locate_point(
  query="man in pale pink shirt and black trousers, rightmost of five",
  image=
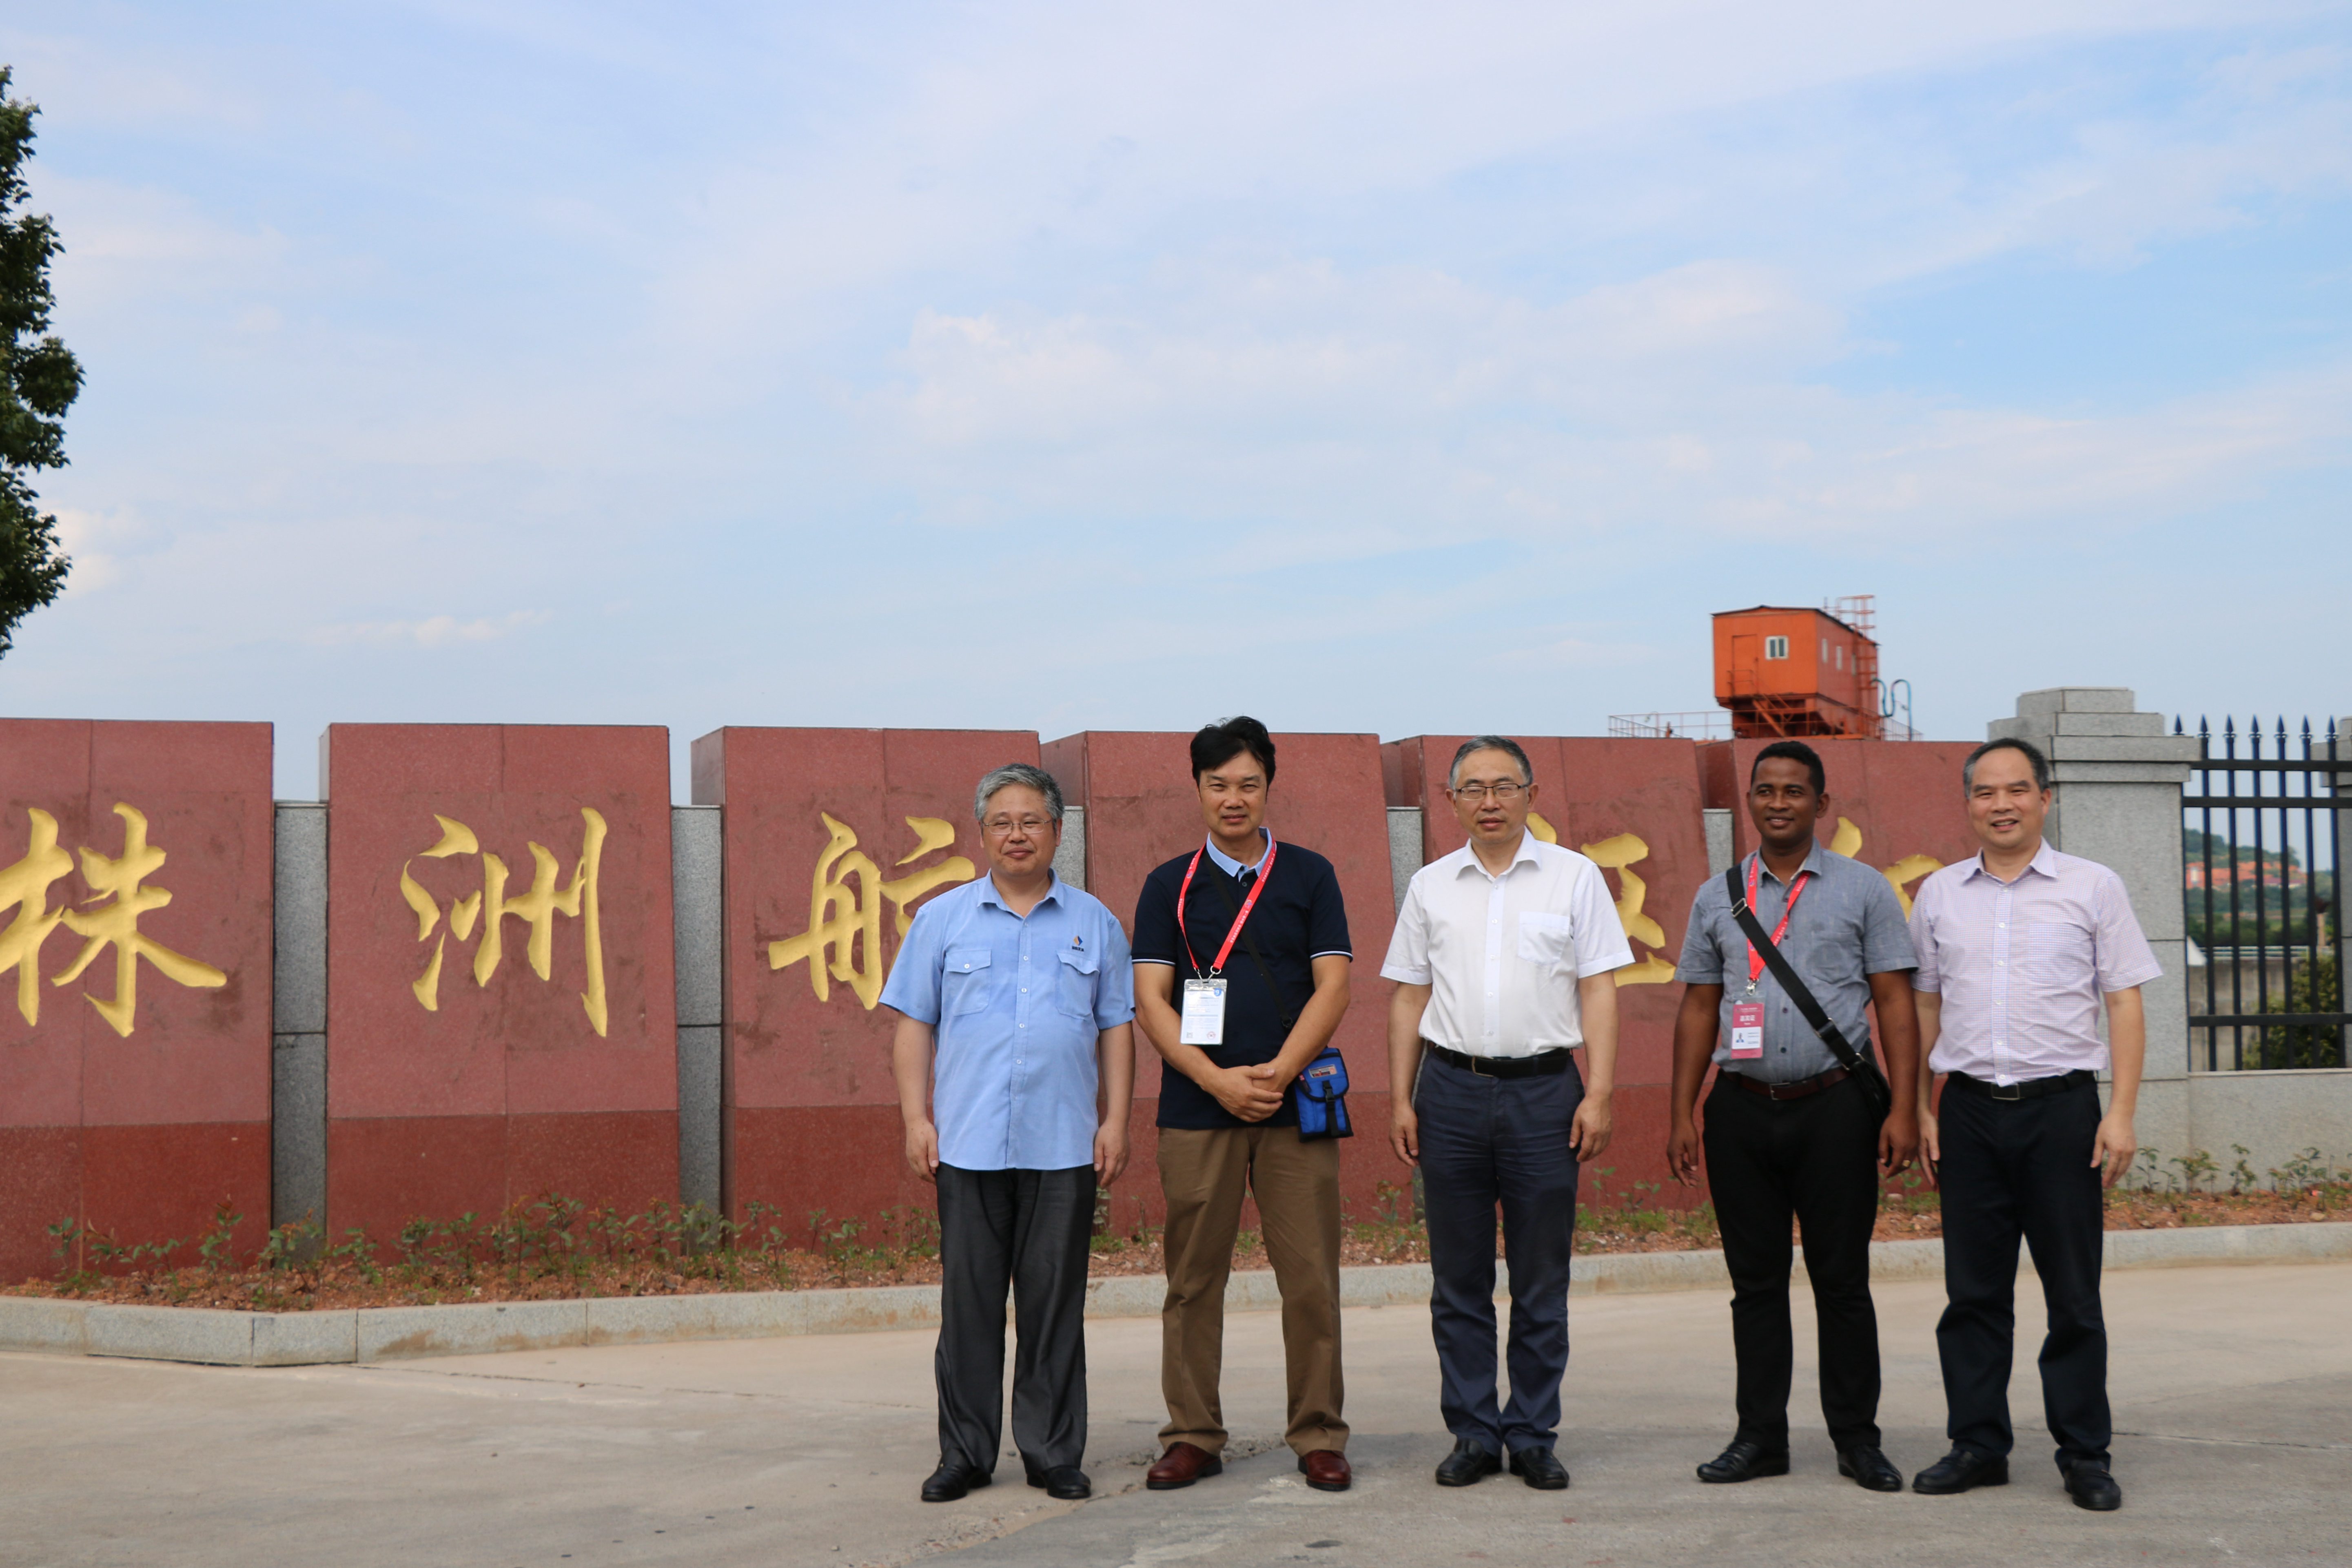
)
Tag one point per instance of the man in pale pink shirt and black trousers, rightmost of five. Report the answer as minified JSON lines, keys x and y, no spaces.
{"x":2017,"y":951}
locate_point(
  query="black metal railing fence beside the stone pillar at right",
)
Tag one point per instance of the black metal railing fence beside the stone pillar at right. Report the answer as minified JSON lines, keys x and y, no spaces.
{"x":2261,"y":838}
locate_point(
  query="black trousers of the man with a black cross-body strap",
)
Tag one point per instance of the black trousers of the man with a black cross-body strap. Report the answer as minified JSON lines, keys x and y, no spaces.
{"x":1815,"y":1160}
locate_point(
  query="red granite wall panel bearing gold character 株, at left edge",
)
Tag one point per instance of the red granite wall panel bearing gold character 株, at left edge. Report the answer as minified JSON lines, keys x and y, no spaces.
{"x":135,"y":1038}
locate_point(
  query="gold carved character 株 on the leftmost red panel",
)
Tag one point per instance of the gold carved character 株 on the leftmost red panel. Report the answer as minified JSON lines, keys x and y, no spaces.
{"x":109,"y":918}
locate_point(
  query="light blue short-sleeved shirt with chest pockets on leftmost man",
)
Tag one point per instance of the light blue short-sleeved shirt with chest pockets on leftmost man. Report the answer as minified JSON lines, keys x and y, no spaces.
{"x":1020,"y":1007}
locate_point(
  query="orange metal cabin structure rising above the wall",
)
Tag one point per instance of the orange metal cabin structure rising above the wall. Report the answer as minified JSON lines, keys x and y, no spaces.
{"x":1800,"y":671}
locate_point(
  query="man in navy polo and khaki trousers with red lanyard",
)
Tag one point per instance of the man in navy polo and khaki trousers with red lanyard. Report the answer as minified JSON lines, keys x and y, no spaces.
{"x":1241,"y":981}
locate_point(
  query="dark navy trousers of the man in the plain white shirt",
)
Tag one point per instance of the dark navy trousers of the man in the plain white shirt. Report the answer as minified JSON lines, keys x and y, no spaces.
{"x":1485,"y":1144}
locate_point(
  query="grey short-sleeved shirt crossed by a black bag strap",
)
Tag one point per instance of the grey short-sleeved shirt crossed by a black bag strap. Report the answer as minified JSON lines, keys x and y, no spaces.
{"x":1845,"y":930}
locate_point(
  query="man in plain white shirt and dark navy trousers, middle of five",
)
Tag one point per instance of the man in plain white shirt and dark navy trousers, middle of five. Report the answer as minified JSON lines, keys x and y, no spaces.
{"x":1504,"y":960}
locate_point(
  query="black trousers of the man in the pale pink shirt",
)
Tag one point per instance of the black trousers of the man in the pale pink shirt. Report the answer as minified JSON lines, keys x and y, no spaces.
{"x":2024,"y":1167}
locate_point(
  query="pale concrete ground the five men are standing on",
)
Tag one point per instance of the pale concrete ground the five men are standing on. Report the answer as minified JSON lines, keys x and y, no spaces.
{"x":2233,"y":1391}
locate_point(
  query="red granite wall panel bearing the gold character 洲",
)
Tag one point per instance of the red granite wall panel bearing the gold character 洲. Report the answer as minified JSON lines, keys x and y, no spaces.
{"x":502,"y":1005}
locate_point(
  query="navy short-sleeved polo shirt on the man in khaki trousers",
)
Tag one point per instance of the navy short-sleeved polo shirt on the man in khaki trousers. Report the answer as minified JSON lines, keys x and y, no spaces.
{"x":1297,"y":920}
